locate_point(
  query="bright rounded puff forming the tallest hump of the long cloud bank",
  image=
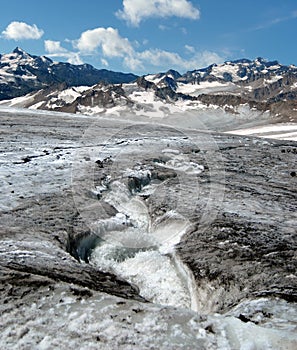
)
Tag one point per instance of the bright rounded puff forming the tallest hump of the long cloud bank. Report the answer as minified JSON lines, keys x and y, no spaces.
{"x":108,"y":39}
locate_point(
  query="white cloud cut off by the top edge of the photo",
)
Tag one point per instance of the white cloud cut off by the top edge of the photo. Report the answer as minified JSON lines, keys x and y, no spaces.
{"x":134,"y":11}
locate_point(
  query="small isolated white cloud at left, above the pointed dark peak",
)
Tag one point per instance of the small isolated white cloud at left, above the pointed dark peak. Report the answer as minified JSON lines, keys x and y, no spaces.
{"x":20,"y":30}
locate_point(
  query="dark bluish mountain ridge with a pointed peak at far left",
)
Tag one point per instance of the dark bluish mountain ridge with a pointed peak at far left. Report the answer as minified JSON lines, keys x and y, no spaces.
{"x":22,"y":73}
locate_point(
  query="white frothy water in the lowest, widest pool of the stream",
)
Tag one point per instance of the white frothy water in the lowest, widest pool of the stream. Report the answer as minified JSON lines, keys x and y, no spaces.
{"x":155,"y":274}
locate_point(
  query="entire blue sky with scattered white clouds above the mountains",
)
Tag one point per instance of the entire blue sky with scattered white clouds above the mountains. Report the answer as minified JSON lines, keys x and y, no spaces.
{"x":145,"y":36}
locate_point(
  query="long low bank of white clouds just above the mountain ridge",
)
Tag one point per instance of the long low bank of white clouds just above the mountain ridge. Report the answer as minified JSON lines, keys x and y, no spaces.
{"x":108,"y":44}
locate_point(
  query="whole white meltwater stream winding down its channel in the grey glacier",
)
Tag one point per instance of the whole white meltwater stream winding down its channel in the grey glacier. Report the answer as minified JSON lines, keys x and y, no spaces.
{"x":143,"y":253}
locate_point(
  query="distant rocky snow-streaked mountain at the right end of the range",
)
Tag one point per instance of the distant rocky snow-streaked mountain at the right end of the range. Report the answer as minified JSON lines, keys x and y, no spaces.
{"x":259,"y":79}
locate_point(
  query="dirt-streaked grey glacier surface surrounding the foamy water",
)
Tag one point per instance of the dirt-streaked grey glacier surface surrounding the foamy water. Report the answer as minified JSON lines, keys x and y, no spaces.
{"x":227,"y":204}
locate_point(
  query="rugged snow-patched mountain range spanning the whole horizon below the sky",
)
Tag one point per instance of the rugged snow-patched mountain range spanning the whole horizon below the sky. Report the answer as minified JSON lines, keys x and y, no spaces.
{"x":254,"y":85}
